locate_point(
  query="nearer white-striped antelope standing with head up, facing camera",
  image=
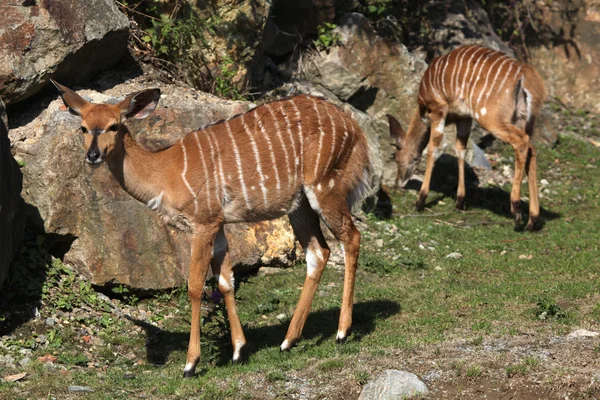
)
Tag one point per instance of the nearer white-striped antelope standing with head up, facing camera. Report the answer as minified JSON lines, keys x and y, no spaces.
{"x":301,"y":156}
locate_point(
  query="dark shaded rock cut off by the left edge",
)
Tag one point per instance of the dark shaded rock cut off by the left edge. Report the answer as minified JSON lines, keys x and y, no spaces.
{"x":12,"y":212}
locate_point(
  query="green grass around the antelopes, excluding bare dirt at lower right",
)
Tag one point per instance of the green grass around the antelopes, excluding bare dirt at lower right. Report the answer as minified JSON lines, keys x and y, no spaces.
{"x":410,"y":301}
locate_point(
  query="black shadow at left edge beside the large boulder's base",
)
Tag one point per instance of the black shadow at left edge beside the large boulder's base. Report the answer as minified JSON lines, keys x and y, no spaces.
{"x":21,"y":294}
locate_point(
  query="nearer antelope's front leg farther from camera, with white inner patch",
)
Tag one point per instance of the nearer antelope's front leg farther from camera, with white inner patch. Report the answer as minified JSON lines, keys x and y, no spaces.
{"x":223,"y":272}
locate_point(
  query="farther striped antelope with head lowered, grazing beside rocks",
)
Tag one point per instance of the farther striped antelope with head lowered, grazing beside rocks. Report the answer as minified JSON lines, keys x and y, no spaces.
{"x":502,"y":94}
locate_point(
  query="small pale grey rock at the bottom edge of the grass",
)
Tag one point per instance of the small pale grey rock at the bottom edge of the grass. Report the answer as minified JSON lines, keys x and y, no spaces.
{"x":393,"y":384}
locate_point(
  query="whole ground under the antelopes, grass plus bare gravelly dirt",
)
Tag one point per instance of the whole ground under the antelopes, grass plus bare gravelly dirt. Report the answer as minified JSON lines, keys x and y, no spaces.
{"x":489,"y":320}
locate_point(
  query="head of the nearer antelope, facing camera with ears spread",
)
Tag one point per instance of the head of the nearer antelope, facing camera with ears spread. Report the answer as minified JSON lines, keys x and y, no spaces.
{"x":102,"y":124}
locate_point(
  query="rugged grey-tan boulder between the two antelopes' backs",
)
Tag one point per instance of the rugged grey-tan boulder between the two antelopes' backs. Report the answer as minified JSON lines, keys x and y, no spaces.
{"x":373,"y":74}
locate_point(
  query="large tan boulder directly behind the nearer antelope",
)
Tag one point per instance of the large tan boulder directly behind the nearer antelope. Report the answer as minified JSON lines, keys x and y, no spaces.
{"x":118,"y":239}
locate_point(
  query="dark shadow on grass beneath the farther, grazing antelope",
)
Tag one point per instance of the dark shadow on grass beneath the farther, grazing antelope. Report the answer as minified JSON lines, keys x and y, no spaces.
{"x":444,"y":180}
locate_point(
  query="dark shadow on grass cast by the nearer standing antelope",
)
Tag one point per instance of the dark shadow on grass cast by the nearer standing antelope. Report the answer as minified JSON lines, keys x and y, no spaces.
{"x":321,"y":325}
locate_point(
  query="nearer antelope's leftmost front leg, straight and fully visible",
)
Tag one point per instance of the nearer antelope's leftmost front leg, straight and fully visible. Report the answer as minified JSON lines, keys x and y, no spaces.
{"x":202,"y":245}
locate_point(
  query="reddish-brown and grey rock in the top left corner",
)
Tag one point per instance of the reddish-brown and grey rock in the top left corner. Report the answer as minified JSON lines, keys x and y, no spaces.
{"x":67,"y":39}
